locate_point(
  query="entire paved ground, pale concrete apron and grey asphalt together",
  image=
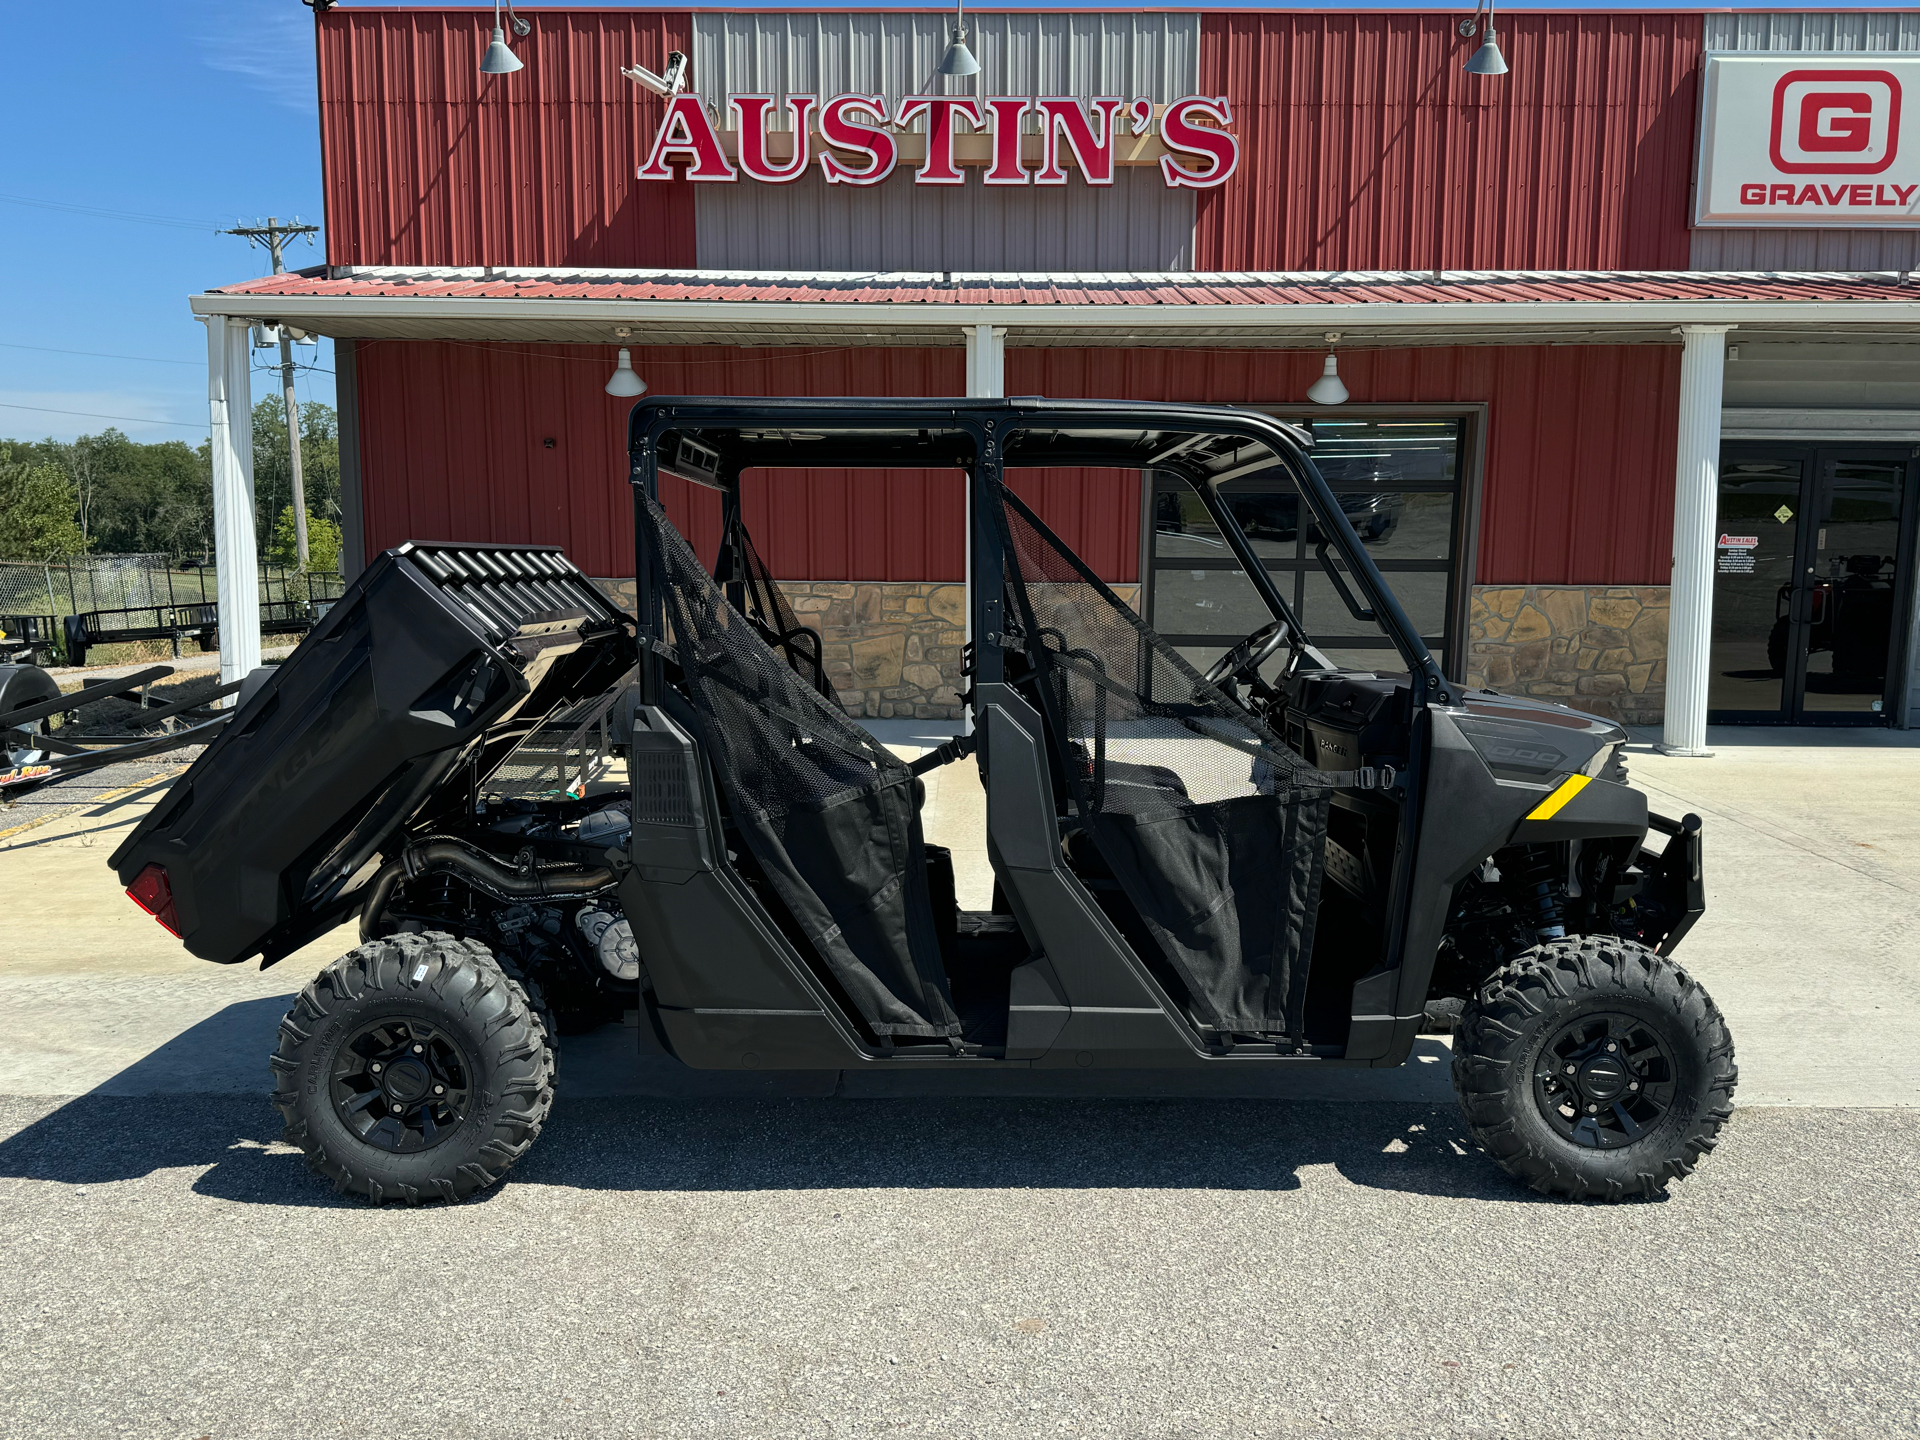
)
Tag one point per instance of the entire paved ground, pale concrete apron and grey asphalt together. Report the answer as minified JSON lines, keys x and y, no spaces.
{"x":863,"y":1265}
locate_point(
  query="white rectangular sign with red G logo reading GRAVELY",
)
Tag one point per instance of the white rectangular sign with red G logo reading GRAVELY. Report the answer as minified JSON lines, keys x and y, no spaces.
{"x":1818,"y":141}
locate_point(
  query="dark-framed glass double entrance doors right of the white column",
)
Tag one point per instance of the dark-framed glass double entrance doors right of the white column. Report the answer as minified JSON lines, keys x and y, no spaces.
{"x":1812,"y":562}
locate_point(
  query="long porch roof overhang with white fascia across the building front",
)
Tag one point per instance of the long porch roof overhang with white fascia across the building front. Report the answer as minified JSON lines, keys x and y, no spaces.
{"x":923,"y":324}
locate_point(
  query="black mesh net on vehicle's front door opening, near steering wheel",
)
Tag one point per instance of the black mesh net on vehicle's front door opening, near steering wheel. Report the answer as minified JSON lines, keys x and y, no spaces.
{"x":1209,"y":823}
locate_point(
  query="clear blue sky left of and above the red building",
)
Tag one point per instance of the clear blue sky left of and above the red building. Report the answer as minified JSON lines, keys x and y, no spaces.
{"x":178,"y":120}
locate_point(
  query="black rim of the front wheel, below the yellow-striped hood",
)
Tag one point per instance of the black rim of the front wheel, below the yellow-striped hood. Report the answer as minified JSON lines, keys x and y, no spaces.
{"x":1605,"y":1081}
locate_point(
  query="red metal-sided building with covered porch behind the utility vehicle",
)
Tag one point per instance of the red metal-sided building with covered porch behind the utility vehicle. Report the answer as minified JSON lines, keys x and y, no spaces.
{"x":1509,"y":264}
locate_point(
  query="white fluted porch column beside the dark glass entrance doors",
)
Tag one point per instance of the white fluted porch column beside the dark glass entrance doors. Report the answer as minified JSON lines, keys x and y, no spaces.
{"x":1697,"y":501}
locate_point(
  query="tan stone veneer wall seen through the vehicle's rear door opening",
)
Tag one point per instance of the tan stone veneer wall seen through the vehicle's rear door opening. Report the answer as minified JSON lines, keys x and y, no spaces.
{"x":892,"y":648}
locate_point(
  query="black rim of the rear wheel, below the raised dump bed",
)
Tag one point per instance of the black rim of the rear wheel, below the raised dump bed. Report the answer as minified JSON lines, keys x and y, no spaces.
{"x":402,"y":1085}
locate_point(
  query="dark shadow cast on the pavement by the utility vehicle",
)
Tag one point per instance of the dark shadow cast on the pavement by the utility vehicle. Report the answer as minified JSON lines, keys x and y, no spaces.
{"x":199,"y":1106}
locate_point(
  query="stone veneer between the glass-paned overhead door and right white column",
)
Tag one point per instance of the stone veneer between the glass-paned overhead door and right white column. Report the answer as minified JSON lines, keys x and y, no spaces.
{"x":1597,"y":648}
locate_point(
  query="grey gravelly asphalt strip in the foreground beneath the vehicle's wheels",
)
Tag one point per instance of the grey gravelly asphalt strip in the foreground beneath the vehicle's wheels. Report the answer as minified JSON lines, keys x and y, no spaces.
{"x":952,"y":1269}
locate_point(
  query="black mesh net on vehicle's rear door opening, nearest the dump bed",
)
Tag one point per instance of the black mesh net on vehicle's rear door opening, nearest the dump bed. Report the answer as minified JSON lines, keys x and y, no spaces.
{"x":825,"y":808}
